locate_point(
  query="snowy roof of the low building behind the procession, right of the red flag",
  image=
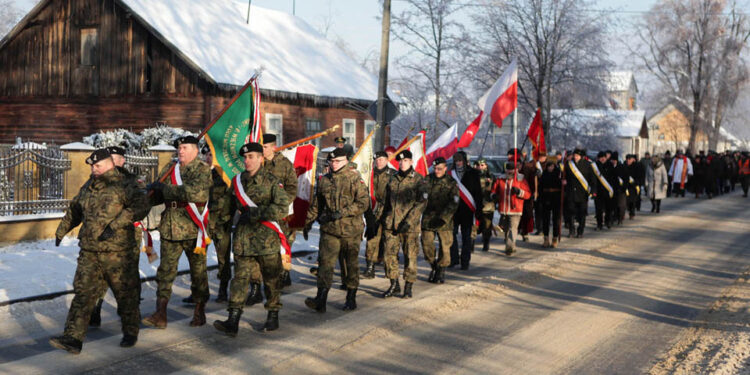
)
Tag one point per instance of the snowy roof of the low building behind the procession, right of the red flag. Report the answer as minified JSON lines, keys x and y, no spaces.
{"x":627,"y":124}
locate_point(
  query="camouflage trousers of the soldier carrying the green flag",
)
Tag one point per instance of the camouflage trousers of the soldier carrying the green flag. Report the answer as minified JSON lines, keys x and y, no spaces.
{"x":167,"y":272}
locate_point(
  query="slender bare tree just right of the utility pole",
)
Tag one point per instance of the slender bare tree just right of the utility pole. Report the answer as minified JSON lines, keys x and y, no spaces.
{"x":429,"y":30}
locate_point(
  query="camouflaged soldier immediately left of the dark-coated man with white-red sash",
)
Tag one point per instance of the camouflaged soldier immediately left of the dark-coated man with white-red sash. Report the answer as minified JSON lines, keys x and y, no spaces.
{"x":437,"y":219}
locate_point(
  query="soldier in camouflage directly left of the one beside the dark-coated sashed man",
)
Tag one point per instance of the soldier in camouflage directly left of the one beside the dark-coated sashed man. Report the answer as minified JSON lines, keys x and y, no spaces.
{"x":406,"y":196}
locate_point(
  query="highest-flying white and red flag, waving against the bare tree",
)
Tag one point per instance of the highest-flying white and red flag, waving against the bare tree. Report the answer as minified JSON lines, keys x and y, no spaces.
{"x":502,"y":98}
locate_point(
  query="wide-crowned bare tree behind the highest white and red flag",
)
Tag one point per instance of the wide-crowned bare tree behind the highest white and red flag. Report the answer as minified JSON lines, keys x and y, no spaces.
{"x":559,"y":47}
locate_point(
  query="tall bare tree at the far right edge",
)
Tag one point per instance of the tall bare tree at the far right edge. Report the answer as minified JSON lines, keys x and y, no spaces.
{"x":693,"y":49}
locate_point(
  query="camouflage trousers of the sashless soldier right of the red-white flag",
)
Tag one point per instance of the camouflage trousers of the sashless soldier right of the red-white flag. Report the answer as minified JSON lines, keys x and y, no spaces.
{"x":330,"y":249}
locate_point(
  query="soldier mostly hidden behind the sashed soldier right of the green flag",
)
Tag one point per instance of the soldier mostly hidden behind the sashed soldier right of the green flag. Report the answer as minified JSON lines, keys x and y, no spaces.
{"x":278,"y":165}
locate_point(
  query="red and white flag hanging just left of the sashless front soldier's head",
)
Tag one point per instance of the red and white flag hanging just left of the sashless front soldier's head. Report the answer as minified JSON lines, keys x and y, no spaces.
{"x":303,"y":158}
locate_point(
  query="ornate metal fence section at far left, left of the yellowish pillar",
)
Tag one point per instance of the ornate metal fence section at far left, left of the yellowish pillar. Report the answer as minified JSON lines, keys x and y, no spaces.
{"x":32,"y":179}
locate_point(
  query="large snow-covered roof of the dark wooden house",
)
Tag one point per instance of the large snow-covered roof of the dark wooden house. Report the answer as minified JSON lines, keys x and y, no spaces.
{"x":294,"y":57}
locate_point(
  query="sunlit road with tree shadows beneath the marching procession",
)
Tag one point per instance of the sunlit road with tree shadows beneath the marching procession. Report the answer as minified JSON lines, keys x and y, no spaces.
{"x":613,"y":302}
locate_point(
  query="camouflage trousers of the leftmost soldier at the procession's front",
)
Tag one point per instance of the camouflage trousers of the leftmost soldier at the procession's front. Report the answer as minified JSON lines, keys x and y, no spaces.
{"x":95,"y":272}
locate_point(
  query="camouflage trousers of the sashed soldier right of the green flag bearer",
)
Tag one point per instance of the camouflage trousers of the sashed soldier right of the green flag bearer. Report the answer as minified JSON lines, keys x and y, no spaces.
{"x":270,"y":268}
